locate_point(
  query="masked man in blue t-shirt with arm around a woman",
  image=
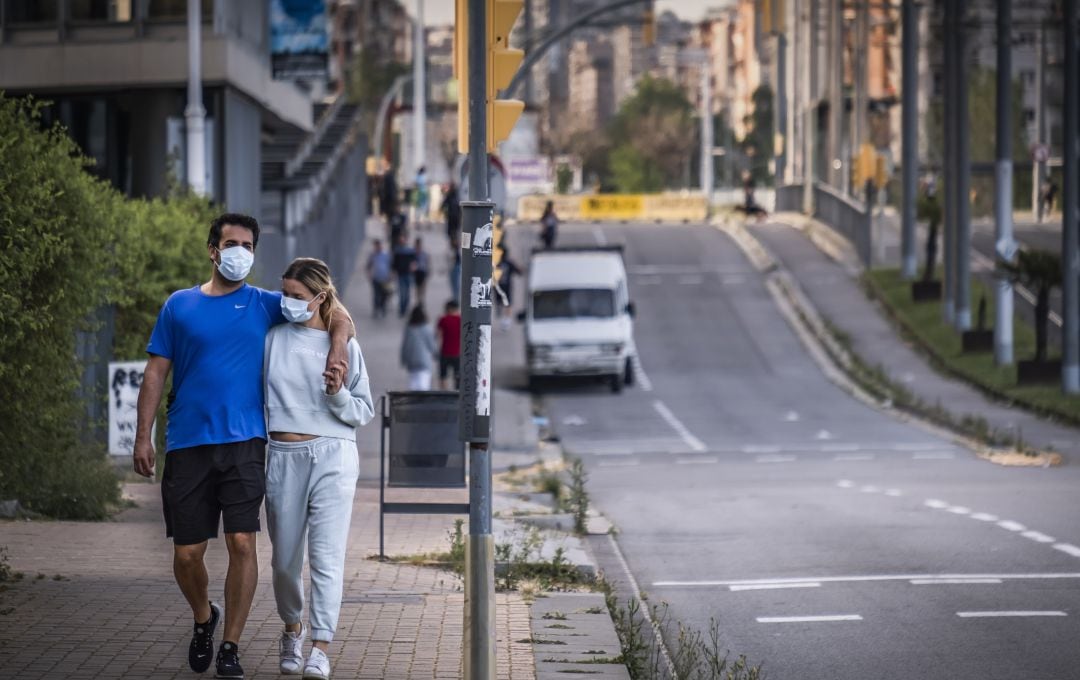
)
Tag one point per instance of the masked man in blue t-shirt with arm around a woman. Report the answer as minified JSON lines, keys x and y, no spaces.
{"x":213,"y":336}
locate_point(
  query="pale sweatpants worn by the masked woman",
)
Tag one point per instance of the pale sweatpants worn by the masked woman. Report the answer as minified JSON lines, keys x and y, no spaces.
{"x":310,"y":487}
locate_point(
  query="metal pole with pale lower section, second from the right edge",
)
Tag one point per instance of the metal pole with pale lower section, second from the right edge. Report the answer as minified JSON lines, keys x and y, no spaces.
{"x":1003,"y":198}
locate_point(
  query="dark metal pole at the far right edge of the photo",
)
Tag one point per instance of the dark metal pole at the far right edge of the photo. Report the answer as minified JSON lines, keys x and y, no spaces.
{"x":1071,"y":219}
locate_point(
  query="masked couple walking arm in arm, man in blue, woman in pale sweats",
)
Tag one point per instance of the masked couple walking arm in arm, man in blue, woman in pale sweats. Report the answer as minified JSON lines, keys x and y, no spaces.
{"x":247,"y":362}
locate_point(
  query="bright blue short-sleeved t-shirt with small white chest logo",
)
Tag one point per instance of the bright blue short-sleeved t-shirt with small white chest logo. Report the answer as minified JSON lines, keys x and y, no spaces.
{"x":217,"y":345}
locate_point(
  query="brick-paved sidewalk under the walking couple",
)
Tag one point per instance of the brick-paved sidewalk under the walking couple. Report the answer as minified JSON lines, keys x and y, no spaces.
{"x":105,"y":604}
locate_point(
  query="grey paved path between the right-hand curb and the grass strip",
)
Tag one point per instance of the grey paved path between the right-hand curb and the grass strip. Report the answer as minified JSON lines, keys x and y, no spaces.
{"x":832,"y":287}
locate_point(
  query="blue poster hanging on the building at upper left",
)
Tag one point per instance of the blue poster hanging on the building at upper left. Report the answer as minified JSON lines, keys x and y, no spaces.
{"x":299,"y":39}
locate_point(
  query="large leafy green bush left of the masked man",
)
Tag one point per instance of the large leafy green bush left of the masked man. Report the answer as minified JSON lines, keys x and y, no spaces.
{"x":72,"y":246}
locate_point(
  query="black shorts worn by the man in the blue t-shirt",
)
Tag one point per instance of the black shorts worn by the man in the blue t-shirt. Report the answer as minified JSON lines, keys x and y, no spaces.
{"x":205,"y":484}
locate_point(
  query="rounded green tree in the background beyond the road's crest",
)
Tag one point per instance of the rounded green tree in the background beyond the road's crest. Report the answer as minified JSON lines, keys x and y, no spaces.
{"x":652,"y":135}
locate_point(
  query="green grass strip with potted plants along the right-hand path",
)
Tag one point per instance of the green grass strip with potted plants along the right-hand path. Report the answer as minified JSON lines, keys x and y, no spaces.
{"x":923,"y":323}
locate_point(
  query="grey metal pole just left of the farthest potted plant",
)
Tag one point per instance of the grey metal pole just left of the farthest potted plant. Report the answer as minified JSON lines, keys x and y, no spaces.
{"x":910,"y":141}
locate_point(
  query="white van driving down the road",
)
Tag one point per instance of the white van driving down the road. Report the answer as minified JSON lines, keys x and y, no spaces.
{"x":579,"y":320}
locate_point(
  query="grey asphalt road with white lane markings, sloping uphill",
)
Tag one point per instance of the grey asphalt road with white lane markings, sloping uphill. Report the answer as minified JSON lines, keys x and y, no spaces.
{"x":829,"y":540}
